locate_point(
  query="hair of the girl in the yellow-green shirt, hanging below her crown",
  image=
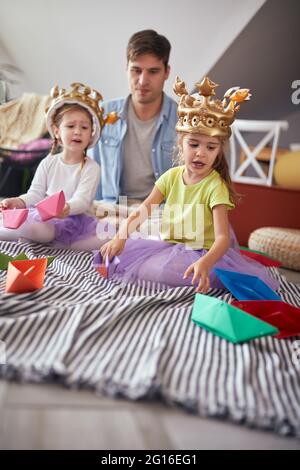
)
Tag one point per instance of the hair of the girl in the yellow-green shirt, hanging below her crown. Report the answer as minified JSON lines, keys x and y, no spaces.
{"x":220,"y":165}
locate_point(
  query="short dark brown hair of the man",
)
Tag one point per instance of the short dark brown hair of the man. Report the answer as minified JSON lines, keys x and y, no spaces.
{"x":149,"y":41}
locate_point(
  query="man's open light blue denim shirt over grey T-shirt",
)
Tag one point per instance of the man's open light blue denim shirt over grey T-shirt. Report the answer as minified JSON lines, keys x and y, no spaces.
{"x":108,"y":151}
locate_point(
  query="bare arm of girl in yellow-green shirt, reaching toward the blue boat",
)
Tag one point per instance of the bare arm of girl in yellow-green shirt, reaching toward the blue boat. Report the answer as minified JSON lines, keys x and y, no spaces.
{"x":204,"y":265}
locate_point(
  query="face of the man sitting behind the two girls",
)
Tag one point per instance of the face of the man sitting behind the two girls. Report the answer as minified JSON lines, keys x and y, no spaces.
{"x":146,"y":78}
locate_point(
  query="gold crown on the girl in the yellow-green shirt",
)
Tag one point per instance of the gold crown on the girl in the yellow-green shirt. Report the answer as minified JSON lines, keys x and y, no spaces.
{"x":200,"y":113}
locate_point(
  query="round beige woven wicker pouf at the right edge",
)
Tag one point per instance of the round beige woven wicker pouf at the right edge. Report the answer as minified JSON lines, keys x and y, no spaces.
{"x":282,"y":244}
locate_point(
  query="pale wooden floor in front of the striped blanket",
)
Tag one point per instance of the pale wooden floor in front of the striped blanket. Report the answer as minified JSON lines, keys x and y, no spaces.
{"x":51,"y":417}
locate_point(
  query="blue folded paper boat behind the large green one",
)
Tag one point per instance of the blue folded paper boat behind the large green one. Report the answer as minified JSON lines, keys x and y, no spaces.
{"x":245,"y":286}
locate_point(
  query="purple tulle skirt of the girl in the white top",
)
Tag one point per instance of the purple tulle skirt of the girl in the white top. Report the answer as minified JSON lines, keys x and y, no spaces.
{"x":70,"y":229}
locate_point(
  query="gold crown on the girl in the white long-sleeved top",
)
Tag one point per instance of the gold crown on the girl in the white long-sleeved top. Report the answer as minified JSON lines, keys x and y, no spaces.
{"x":86,"y":97}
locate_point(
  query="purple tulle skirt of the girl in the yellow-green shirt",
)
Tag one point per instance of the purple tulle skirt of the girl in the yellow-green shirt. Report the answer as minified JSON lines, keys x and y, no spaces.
{"x":159,"y":261}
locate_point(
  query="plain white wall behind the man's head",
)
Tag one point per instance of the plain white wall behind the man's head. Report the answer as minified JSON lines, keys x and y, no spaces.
{"x":62,"y":41}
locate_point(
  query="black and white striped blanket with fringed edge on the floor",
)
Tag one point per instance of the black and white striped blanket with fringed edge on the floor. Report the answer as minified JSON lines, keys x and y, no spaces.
{"x":138,"y":341}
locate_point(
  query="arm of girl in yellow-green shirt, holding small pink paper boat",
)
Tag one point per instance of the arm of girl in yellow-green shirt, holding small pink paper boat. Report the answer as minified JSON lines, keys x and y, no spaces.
{"x":132,"y":223}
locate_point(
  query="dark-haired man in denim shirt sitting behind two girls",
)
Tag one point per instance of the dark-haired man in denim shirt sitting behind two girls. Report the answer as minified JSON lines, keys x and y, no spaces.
{"x":137,"y":149}
